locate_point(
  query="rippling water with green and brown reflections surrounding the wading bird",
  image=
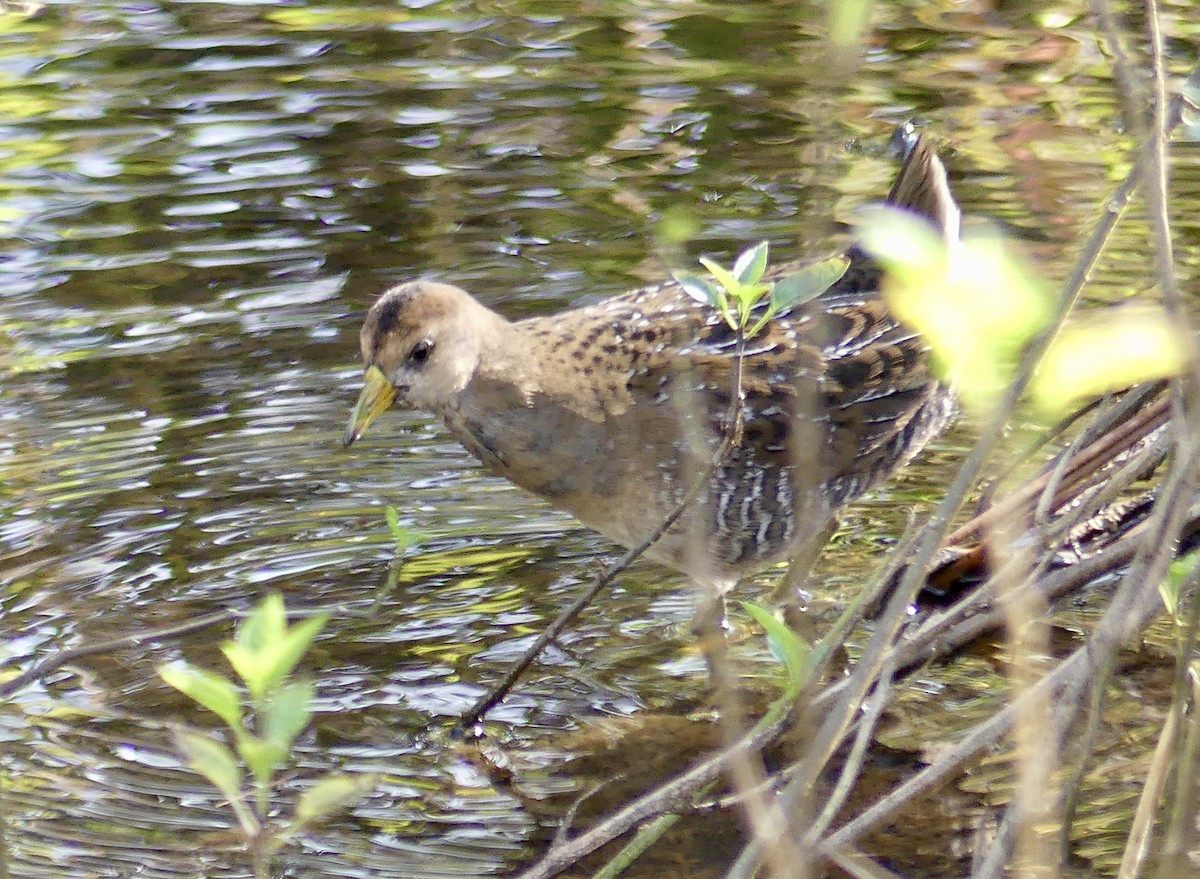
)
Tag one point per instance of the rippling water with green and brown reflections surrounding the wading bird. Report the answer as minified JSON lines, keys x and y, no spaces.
{"x":200,"y":200}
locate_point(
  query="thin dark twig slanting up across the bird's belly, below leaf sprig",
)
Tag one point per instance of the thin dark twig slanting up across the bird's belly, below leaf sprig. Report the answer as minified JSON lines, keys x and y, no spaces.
{"x":733,"y":436}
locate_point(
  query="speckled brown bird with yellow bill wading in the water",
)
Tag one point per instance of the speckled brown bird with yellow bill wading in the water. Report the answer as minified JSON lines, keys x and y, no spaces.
{"x":610,"y":411}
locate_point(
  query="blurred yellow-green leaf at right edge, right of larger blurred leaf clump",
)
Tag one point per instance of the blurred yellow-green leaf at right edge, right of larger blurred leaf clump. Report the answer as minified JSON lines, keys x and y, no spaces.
{"x":1103,"y":354}
